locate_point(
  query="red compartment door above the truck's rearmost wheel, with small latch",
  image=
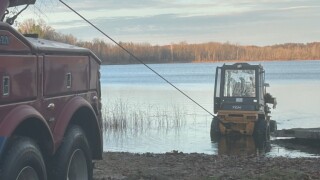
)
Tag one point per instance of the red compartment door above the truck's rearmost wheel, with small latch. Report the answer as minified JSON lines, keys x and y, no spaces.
{"x":65,"y":75}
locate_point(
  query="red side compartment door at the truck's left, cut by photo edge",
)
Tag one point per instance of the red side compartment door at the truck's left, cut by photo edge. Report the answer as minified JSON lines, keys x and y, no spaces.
{"x":18,"y":77}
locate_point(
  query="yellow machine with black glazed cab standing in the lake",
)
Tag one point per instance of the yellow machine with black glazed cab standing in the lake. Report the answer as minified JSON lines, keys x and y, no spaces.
{"x":241,"y":101}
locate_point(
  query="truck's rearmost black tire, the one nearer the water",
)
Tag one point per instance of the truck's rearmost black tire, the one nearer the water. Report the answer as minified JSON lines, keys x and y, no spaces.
{"x":73,"y":159}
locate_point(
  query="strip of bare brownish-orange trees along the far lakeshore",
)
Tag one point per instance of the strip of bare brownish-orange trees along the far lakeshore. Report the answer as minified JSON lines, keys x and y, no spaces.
{"x":180,"y":52}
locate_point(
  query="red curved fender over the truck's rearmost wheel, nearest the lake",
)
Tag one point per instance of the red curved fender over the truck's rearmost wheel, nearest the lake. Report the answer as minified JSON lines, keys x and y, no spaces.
{"x":69,"y":109}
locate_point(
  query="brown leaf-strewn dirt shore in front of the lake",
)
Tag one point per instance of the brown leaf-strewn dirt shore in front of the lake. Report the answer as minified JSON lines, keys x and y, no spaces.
{"x":201,"y":166}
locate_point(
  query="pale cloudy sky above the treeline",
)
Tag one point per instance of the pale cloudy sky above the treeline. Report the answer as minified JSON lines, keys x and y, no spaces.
{"x":245,"y":22}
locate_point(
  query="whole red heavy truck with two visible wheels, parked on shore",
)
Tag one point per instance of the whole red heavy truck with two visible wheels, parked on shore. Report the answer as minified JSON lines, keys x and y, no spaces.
{"x":50,"y":107}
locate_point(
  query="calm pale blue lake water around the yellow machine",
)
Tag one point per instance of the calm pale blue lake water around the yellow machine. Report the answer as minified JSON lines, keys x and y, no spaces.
{"x":161,"y":119}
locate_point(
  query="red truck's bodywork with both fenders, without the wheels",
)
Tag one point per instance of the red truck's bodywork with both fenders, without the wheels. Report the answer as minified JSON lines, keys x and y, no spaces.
{"x":48,"y":82}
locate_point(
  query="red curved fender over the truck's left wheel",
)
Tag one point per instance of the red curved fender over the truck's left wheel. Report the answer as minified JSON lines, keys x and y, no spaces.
{"x":21,"y":114}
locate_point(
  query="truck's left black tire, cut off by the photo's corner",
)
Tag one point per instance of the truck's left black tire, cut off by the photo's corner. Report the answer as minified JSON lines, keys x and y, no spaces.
{"x":23,"y":161}
